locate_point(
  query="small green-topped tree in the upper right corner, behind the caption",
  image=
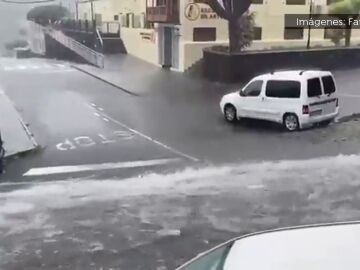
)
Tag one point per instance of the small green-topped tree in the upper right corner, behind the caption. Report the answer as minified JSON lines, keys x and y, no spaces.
{"x":348,"y":11}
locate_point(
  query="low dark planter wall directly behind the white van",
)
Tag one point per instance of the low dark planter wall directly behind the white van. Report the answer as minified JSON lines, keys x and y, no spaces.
{"x":241,"y":67}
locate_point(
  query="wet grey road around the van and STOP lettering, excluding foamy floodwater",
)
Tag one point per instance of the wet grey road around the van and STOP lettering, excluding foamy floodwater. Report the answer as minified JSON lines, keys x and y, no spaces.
{"x":81,"y":121}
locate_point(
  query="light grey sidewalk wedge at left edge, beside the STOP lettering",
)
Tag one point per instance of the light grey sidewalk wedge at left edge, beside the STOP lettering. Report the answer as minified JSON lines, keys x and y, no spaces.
{"x":15,"y":135}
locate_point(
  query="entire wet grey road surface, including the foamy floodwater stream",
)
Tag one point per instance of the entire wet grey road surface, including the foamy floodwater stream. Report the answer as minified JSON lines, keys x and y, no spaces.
{"x":188,"y":179}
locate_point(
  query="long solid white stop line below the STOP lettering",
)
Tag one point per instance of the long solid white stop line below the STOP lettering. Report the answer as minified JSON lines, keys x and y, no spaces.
{"x":97,"y":167}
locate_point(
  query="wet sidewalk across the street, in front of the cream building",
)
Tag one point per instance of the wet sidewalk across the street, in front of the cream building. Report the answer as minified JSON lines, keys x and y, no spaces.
{"x":138,"y":78}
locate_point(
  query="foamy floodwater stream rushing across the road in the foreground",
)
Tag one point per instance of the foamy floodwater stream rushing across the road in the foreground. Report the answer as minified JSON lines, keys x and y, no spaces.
{"x":161,"y":221}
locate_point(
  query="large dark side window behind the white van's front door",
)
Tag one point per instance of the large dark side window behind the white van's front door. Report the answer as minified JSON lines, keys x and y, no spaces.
{"x":283,"y":89}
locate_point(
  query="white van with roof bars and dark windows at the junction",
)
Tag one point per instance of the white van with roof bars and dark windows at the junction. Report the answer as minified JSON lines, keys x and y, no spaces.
{"x":296,"y":99}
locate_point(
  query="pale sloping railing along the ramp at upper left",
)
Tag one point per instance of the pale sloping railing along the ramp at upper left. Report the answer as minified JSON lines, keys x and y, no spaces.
{"x":88,"y":54}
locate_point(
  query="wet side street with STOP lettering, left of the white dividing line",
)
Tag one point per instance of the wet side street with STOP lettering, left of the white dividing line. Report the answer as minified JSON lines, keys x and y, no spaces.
{"x":76,"y":134}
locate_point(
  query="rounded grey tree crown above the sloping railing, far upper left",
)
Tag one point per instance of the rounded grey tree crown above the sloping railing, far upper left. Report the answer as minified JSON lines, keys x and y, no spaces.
{"x":48,"y":13}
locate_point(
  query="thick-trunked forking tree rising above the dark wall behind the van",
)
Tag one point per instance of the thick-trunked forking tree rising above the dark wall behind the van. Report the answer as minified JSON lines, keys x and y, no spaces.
{"x":232,"y":11}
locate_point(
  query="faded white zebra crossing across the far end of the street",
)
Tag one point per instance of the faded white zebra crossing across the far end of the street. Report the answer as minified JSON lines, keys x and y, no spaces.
{"x":8,"y":66}
